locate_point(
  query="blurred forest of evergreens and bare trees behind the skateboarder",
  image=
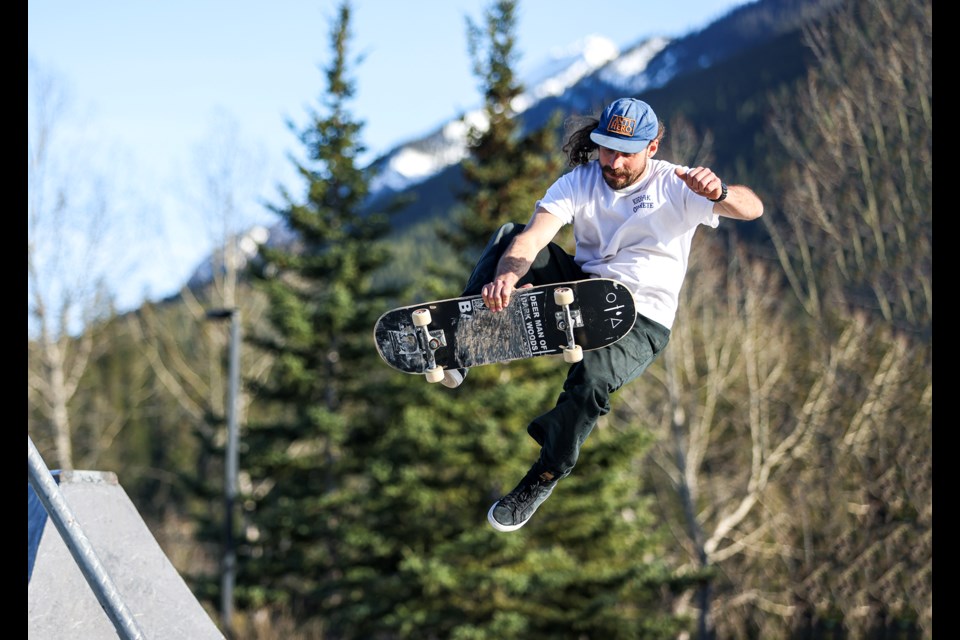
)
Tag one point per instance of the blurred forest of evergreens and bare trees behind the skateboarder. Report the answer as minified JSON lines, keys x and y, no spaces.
{"x":770,"y":476}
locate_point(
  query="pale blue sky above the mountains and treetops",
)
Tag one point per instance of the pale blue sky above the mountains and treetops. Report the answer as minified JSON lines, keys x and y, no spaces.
{"x":153,"y":79}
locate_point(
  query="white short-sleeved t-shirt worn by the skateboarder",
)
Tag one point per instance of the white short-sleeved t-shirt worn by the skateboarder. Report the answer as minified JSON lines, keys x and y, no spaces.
{"x":639,"y":236}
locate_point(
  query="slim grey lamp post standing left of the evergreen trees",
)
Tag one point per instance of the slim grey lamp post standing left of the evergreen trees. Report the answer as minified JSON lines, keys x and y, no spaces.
{"x":228,"y":577}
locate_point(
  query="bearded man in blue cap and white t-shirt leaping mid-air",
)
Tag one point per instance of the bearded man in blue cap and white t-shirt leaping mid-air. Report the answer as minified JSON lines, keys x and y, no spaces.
{"x":633,"y":220}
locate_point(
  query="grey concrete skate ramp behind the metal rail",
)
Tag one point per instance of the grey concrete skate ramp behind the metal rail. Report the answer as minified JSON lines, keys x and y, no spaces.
{"x":60,"y":603}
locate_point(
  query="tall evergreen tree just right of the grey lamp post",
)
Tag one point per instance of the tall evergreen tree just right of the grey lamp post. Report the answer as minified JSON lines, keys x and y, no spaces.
{"x":322,"y":306}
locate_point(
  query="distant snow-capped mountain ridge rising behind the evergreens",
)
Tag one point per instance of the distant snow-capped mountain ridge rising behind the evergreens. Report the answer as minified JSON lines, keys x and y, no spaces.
{"x":581,"y":79}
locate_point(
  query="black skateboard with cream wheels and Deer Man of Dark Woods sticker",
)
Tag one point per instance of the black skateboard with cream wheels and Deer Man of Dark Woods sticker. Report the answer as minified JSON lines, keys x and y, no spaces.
{"x":565,"y":318}
